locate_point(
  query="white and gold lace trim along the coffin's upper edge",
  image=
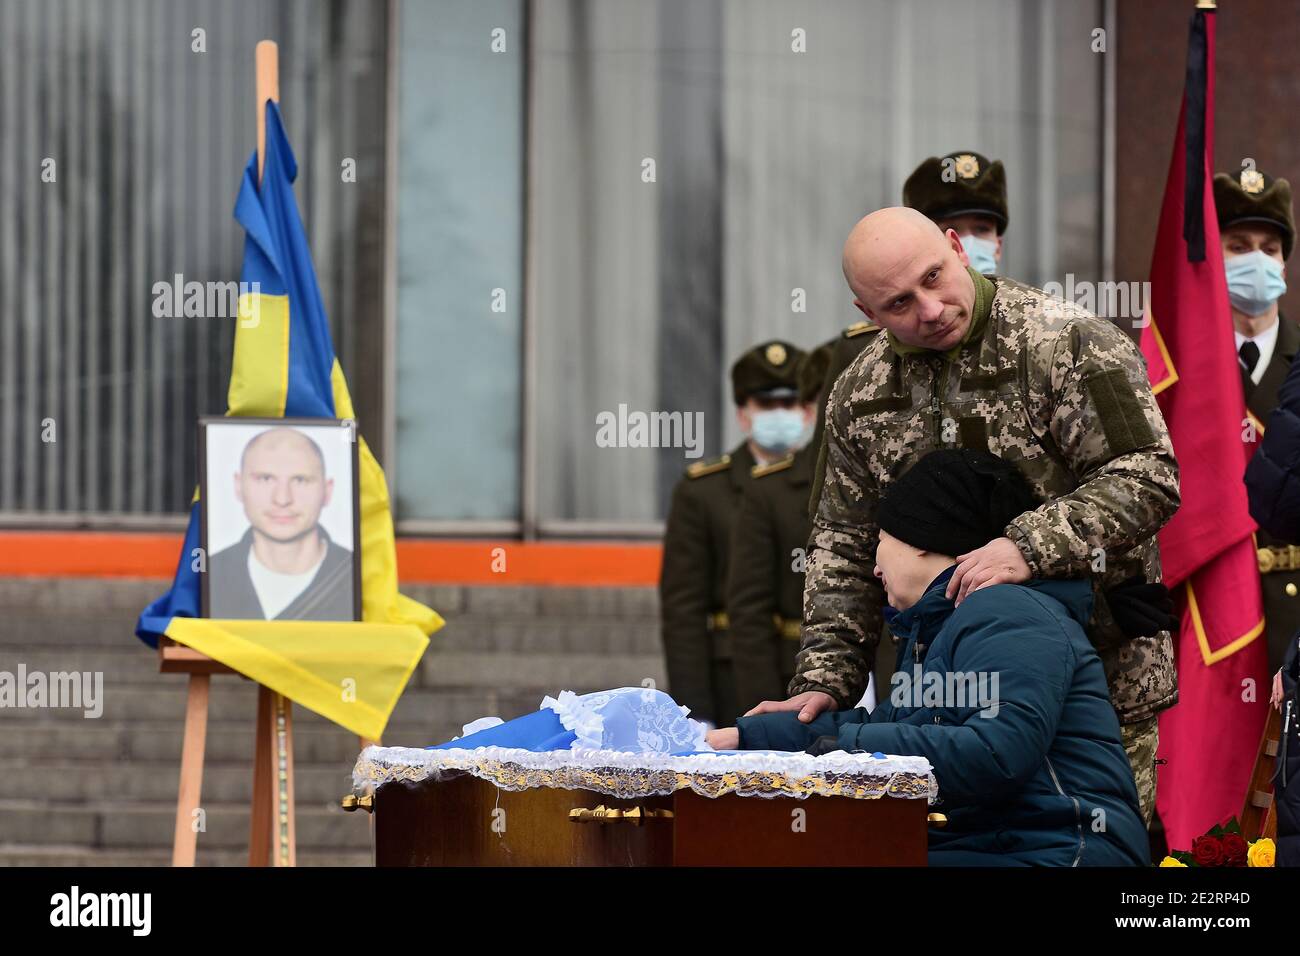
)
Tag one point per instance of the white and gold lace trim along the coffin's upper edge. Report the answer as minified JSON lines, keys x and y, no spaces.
{"x":630,"y":776}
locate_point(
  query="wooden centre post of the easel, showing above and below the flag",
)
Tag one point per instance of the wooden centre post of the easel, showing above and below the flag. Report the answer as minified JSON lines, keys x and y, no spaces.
{"x":272,"y":827}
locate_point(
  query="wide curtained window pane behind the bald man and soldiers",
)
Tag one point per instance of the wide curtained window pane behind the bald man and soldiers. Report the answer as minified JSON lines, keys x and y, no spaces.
{"x":765,"y":158}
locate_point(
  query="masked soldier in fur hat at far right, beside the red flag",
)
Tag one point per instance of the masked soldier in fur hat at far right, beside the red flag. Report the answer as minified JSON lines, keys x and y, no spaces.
{"x":1258,"y":232}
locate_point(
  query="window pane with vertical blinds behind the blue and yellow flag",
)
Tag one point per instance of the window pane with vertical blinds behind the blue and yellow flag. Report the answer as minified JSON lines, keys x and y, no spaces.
{"x":149,"y":128}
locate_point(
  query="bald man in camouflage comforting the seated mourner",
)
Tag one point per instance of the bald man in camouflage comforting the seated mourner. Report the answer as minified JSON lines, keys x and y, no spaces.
{"x":967,"y":361}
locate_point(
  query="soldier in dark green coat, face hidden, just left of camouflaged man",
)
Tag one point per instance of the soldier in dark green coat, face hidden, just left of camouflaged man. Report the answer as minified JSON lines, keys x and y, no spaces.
{"x":765,"y":585}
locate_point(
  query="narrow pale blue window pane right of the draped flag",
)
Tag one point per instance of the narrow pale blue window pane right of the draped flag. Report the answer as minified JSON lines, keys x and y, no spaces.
{"x":460,"y":259}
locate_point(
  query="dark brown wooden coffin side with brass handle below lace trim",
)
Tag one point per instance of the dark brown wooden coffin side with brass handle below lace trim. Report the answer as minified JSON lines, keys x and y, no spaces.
{"x":460,"y":820}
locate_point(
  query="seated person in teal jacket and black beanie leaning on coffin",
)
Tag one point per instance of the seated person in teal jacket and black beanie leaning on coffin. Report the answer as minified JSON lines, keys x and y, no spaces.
{"x":1004,"y":694}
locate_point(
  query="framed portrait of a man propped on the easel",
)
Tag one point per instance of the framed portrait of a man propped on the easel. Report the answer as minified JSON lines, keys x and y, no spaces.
{"x":280,"y":520}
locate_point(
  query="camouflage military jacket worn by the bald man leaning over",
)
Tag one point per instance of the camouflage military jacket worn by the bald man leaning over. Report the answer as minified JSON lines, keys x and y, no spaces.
{"x":1041,"y":383}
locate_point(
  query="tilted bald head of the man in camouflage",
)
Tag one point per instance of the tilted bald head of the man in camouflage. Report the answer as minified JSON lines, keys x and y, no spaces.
{"x":911,"y":278}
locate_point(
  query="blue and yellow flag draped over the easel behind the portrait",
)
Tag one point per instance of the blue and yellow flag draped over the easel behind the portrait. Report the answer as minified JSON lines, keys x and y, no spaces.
{"x":352,"y":673}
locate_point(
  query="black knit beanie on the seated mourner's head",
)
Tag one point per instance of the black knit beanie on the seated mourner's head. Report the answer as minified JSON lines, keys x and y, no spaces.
{"x":955,"y":500}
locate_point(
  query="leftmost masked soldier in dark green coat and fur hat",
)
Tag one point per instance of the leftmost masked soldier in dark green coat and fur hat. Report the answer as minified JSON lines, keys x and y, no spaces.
{"x":697,"y":538}
